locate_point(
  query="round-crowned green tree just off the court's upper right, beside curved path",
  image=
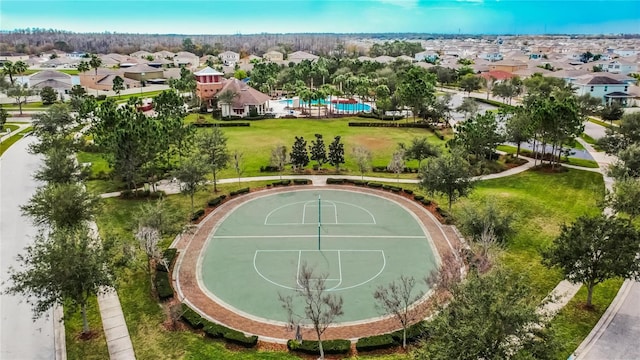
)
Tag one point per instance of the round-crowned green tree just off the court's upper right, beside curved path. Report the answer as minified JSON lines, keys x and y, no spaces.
{"x":449,"y":175}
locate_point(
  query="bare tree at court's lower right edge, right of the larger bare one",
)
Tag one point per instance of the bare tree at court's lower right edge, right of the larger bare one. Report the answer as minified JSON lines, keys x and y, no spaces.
{"x":396,"y":298}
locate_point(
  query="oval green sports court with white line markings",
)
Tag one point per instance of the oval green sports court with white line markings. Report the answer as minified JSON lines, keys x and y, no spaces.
{"x":256,"y":251}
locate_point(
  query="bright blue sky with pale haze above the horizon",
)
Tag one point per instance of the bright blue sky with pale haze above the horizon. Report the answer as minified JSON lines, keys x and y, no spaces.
{"x":351,"y":16}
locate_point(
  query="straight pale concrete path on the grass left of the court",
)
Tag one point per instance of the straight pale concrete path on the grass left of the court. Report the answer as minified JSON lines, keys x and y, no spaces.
{"x":115,"y":328}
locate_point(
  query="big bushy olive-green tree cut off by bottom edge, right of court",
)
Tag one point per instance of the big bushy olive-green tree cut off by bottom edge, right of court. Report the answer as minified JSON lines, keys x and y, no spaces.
{"x":490,"y":317}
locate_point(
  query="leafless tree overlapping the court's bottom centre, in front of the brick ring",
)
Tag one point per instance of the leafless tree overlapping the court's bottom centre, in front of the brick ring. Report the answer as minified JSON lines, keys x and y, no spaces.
{"x":320,"y":308}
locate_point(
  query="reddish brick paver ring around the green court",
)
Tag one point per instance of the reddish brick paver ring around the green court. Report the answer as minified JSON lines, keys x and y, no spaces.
{"x":186,"y":283}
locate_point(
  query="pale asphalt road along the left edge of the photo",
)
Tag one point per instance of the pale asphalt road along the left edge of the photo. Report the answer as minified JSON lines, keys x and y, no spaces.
{"x":20,"y":337}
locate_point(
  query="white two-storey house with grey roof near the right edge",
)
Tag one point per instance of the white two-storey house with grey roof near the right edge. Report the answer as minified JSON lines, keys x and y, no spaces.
{"x":603,"y":87}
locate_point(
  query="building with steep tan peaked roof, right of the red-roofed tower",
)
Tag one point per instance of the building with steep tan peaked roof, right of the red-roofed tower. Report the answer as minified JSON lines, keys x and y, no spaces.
{"x":247,"y":100}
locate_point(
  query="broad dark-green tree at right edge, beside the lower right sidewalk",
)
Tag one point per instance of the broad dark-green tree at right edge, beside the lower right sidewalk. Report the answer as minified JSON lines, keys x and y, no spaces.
{"x":594,"y":249}
